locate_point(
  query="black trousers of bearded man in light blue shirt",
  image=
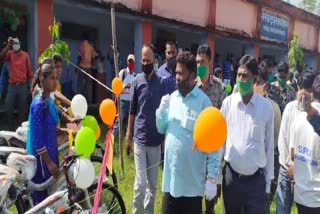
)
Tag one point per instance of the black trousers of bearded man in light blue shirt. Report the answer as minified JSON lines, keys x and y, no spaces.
{"x":182,"y":205}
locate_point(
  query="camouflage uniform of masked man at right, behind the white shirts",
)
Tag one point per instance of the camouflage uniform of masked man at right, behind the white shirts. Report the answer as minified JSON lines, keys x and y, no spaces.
{"x":282,"y":96}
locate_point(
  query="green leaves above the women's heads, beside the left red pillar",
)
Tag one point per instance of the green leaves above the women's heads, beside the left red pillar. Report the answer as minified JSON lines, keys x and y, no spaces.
{"x":58,"y":45}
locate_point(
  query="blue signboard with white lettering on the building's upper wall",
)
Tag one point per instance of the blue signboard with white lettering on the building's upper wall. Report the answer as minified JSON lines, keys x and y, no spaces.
{"x":274,"y":27}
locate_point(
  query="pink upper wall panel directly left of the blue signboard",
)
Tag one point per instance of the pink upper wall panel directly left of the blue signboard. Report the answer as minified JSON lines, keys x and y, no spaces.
{"x":237,"y":15}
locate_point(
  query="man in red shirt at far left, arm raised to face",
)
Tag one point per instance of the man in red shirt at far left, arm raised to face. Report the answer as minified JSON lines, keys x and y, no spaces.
{"x":19,"y":74}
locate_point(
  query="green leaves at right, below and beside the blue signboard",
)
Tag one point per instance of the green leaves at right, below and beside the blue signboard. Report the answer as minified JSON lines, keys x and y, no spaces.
{"x":295,"y":54}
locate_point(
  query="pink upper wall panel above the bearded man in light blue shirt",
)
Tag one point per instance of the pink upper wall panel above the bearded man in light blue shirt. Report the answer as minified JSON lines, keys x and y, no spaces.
{"x":189,"y":11}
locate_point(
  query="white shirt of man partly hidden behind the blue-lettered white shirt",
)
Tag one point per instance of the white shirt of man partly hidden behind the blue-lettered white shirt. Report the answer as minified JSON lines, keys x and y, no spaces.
{"x":290,"y":112}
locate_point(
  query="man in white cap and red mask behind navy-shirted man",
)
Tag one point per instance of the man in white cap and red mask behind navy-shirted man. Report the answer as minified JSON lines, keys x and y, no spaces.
{"x":126,"y":75}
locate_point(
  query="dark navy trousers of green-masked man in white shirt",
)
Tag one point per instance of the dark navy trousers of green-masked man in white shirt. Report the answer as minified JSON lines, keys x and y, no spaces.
{"x":243,"y":194}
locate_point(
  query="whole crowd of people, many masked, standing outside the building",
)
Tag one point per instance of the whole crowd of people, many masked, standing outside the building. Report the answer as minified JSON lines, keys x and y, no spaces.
{"x":273,"y":140}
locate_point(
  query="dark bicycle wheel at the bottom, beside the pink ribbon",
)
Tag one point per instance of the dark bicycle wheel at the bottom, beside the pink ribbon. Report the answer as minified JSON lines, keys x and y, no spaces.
{"x":111,"y":201}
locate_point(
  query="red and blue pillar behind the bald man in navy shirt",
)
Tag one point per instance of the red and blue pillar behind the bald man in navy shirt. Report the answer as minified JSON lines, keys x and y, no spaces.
{"x":142,"y":35}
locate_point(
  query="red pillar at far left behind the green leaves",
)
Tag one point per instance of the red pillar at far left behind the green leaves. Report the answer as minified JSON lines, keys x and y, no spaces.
{"x":44,"y":19}
